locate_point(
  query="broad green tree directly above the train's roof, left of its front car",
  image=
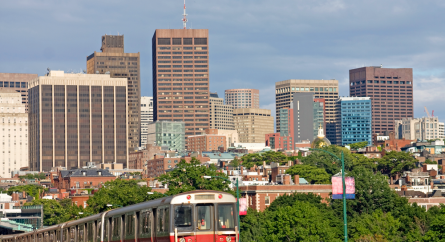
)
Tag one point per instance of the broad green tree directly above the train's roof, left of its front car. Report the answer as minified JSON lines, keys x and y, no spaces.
{"x":119,"y":192}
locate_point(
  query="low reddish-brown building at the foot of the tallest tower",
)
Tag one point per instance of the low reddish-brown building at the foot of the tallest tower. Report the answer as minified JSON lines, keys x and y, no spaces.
{"x":208,"y":142}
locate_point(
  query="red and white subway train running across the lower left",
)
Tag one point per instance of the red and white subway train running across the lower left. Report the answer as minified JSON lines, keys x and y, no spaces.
{"x":195,"y":216}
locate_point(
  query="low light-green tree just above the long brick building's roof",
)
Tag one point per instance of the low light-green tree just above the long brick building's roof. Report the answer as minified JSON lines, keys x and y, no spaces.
{"x":312,"y":174}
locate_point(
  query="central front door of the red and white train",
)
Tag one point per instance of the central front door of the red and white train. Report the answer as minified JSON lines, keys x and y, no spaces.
{"x":205,"y":214}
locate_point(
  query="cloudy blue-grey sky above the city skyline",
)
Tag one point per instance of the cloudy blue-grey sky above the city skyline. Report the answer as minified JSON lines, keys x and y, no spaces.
{"x":252,"y":43}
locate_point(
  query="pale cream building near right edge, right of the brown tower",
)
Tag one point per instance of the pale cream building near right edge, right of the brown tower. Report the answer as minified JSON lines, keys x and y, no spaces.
{"x":419,"y":128}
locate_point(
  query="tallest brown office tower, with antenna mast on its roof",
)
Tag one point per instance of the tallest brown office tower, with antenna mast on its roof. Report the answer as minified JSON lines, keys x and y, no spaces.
{"x":181,"y":78}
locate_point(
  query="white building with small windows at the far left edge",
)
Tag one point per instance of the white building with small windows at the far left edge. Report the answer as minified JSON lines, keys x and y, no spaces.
{"x":14,"y":132}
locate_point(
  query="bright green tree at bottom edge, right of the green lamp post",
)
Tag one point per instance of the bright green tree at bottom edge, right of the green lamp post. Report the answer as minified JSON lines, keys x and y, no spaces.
{"x":377,"y":225}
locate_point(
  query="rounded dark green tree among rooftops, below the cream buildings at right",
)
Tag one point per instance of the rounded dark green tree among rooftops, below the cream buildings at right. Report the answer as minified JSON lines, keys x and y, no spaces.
{"x":396,"y":162}
